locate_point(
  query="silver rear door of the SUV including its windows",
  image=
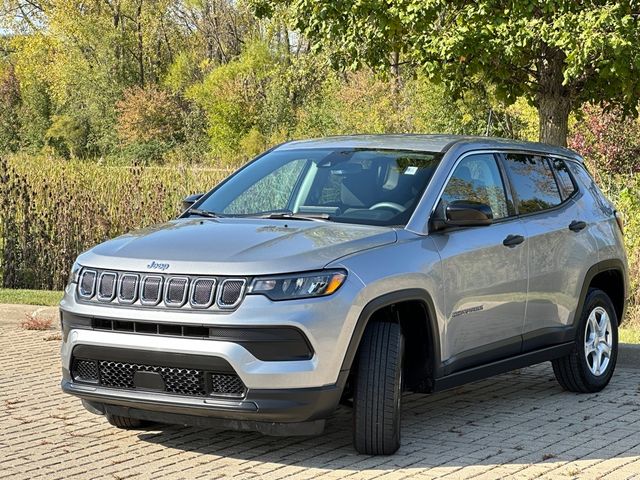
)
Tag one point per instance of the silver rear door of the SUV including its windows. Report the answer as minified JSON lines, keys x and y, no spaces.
{"x":558,"y":241}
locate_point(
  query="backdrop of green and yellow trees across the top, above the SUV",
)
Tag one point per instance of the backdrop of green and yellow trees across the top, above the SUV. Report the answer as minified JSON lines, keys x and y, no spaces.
{"x":188,"y":81}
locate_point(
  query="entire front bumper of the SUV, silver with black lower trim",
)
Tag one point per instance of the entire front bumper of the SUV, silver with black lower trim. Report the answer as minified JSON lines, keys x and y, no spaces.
{"x":281,"y":397}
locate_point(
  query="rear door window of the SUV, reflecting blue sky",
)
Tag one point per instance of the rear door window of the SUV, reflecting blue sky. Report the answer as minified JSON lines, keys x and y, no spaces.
{"x":533,"y":182}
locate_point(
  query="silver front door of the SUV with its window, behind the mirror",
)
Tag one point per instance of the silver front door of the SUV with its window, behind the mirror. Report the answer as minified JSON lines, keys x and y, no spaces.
{"x":485,"y":281}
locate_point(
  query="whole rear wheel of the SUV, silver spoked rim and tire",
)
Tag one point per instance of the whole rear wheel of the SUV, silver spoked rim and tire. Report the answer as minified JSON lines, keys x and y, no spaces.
{"x":589,"y":367}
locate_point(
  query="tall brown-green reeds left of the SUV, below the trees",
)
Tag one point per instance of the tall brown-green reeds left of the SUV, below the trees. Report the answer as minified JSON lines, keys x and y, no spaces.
{"x":51,"y":210}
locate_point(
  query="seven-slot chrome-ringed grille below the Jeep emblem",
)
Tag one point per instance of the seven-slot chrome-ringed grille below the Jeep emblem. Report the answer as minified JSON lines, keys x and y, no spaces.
{"x":154,"y":289}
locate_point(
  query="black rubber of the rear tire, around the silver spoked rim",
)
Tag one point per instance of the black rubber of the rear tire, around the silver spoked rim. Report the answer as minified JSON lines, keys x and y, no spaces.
{"x":574,"y":371}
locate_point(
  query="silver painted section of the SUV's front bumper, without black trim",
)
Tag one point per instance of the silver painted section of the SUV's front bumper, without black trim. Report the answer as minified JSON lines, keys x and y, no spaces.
{"x":327,"y":324}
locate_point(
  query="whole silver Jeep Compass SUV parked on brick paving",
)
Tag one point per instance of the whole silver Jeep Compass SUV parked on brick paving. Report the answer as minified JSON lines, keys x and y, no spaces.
{"x":353,"y":269}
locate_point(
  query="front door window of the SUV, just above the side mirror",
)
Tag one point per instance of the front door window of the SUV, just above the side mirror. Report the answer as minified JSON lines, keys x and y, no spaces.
{"x":478,"y":178}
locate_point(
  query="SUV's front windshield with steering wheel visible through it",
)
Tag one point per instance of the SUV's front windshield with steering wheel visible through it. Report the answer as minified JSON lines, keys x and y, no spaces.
{"x":364,"y":186}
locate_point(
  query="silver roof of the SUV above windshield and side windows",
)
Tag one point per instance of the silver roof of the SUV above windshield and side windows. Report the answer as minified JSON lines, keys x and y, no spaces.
{"x":426,"y":143}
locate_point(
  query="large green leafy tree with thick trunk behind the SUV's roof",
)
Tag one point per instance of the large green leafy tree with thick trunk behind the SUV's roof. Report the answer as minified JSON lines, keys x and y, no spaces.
{"x":557,"y":54}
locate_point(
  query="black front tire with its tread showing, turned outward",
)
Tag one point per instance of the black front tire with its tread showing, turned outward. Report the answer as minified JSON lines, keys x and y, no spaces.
{"x":377,"y":390}
